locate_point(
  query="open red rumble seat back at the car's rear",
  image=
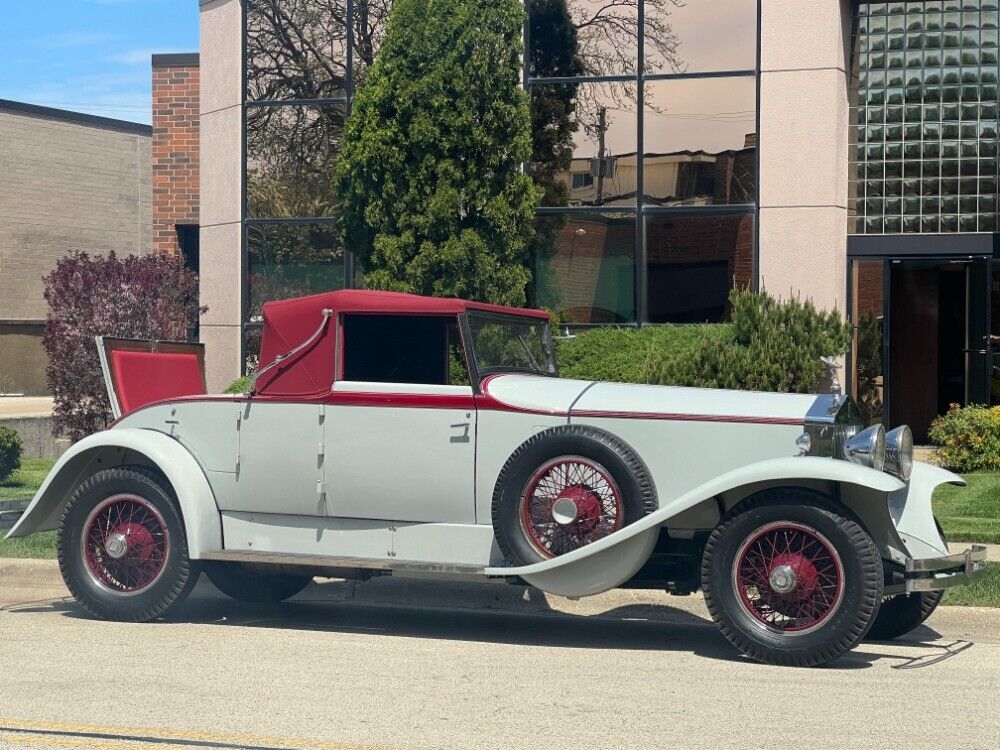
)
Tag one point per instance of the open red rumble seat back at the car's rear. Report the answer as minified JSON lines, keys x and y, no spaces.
{"x":138,"y":373}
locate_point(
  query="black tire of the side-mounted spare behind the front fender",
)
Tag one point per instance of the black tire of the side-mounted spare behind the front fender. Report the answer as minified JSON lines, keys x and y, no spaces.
{"x":609,"y":453}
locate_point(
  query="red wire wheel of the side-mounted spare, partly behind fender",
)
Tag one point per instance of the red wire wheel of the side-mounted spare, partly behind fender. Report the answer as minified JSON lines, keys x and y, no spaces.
{"x":567,"y":503}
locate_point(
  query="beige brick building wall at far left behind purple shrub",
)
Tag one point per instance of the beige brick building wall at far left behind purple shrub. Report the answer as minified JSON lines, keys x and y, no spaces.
{"x":64,"y":186}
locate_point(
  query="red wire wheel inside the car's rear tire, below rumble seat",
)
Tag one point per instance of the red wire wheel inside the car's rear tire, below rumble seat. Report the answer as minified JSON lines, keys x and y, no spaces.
{"x":125,"y":544}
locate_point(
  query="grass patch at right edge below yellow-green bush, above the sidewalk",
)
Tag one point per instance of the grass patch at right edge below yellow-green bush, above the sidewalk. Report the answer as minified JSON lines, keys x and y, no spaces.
{"x":970,"y":514}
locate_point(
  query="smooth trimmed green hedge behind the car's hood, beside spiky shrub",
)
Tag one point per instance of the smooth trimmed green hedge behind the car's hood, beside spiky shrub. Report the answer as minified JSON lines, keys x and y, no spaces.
{"x":628,"y":355}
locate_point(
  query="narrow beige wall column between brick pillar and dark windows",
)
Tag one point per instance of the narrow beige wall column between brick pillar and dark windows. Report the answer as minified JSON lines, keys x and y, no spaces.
{"x":221,"y":188}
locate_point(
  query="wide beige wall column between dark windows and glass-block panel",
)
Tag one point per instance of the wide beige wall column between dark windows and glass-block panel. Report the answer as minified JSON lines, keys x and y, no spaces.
{"x":804,"y":150}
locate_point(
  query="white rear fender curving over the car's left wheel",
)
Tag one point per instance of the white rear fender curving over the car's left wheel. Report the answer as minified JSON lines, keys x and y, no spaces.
{"x":111,"y":448}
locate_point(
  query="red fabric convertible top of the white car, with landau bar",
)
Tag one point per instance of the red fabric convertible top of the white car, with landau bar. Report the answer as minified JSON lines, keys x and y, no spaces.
{"x":288,"y":323}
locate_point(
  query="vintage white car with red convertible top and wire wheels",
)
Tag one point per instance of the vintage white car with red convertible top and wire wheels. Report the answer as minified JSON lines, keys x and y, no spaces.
{"x":393,"y":434}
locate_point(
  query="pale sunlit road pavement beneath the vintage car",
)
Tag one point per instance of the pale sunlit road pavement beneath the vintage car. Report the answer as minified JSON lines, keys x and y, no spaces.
{"x":394,"y":664}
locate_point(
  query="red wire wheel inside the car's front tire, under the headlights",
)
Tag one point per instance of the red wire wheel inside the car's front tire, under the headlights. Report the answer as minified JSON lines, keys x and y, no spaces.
{"x":789,"y":578}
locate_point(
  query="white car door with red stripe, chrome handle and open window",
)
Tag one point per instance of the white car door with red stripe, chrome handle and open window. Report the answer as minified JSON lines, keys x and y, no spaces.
{"x":400,"y":428}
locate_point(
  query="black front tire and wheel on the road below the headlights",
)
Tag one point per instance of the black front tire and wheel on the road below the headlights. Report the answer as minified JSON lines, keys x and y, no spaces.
{"x":844,"y":548}
